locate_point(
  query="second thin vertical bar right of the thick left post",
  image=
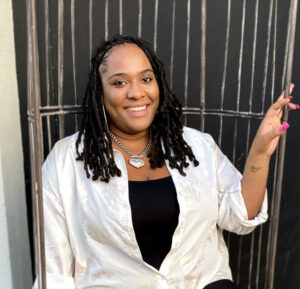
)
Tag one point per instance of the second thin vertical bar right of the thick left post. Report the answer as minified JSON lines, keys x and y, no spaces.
{"x":61,"y":65}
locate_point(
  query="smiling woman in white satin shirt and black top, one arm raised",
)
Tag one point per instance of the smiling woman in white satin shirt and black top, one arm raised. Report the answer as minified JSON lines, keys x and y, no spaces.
{"x":145,"y":203}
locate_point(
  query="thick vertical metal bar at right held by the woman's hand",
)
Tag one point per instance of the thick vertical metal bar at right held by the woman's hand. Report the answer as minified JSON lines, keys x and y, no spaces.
{"x":282,"y":142}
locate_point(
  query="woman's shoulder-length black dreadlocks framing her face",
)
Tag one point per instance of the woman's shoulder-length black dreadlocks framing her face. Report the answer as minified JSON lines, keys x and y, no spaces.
{"x":97,"y":153}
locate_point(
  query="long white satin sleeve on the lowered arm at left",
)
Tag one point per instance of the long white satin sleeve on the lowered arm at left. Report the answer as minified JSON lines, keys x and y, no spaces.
{"x":59,"y":255}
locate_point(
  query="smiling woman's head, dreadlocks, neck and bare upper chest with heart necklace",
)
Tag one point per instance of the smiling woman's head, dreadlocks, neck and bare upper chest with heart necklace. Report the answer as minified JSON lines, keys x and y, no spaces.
{"x":128,"y":98}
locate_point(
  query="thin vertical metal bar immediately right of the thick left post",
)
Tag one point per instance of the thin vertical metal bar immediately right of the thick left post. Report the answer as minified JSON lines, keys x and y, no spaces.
{"x":47,"y":56}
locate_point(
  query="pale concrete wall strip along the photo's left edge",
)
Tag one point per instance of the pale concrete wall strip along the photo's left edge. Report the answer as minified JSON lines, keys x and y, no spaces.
{"x":15,"y":266}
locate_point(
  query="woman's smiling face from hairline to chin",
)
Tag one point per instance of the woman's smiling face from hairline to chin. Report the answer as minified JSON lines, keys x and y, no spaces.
{"x":130,"y":91}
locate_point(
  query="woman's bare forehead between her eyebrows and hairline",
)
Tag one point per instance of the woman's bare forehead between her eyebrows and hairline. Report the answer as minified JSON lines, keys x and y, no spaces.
{"x":125,"y":57}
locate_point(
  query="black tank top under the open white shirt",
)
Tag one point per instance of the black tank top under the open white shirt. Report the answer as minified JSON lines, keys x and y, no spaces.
{"x":155,"y":212}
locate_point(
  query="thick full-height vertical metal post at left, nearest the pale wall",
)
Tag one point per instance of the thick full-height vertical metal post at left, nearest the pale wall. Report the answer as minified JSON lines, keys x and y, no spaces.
{"x":35,"y":139}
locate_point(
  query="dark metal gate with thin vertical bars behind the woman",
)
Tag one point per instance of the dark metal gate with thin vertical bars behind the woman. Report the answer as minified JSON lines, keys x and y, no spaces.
{"x":225,"y":90}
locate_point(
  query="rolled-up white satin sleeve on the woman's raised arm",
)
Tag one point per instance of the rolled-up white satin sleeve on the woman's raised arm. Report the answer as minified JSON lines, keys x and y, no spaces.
{"x":233,"y":214}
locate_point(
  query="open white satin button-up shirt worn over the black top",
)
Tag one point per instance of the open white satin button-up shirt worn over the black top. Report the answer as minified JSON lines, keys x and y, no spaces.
{"x":90,"y":240}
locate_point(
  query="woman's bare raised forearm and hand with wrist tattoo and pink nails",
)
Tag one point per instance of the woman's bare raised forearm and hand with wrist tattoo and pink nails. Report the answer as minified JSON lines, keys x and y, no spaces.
{"x":257,"y":164}
